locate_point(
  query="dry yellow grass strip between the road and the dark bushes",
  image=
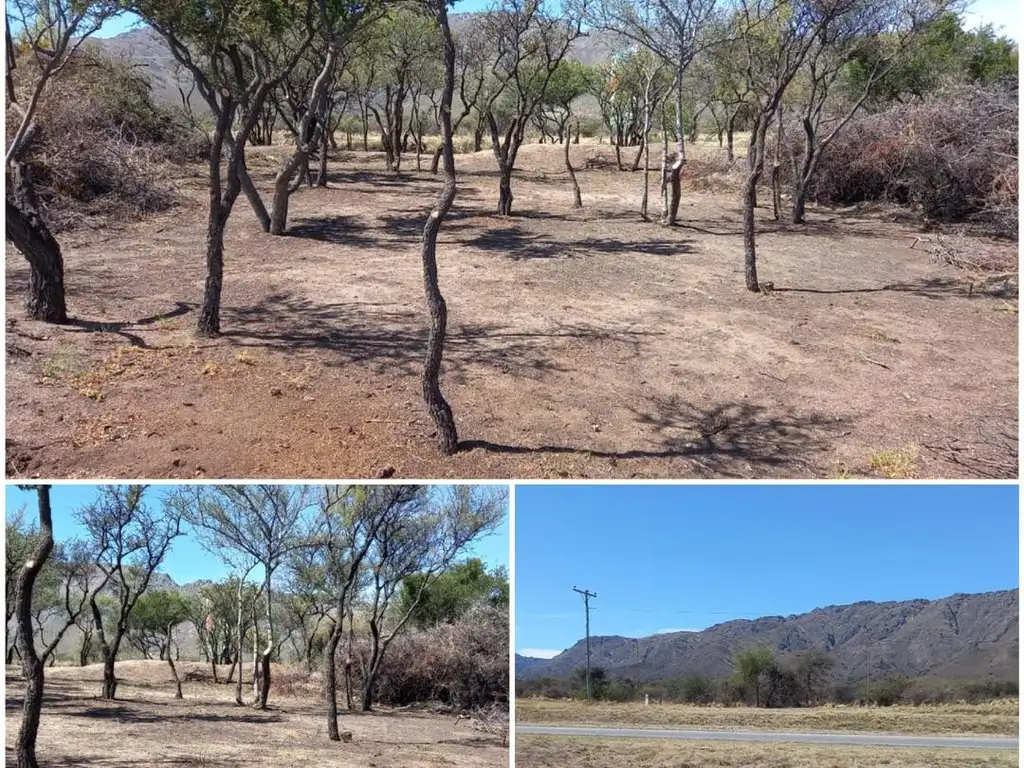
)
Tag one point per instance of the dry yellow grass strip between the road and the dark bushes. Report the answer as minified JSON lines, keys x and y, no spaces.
{"x":996,"y":718}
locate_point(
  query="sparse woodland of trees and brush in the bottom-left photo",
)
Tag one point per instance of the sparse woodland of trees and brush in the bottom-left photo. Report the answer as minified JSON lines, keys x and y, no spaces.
{"x":360,"y":596}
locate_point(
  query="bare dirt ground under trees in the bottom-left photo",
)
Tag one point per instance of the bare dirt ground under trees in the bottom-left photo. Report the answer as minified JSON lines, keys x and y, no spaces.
{"x":148,"y":727}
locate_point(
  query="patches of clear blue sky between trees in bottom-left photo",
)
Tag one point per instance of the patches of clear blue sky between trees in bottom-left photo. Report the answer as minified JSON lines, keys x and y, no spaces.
{"x":188,"y":561}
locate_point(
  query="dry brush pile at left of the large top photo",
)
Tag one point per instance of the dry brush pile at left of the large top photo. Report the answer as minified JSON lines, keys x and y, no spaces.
{"x":104,"y":151}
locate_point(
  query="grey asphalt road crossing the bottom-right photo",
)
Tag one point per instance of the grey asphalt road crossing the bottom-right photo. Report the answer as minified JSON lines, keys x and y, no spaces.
{"x":861,"y":740}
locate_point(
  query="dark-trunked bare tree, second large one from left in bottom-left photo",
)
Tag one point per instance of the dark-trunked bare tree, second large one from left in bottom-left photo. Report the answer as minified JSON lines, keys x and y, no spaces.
{"x":130,"y":543}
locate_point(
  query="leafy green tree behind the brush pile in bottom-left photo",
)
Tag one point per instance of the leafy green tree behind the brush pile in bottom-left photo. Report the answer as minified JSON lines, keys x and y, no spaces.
{"x":449,"y":596}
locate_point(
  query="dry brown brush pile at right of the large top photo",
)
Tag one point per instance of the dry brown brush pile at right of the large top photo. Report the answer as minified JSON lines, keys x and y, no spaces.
{"x":953,"y":158}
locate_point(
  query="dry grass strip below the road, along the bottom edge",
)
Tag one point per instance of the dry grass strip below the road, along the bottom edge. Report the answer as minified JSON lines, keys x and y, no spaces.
{"x":563,"y":752}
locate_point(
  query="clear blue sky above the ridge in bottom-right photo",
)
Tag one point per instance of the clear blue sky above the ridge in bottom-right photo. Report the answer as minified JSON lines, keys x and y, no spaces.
{"x":668,"y":559}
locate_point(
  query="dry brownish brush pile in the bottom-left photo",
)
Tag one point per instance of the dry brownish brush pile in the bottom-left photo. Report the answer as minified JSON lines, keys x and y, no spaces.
{"x":464,"y":665}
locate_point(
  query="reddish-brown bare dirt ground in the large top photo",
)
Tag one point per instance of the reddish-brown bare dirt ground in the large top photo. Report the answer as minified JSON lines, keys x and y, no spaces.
{"x":582,"y":344}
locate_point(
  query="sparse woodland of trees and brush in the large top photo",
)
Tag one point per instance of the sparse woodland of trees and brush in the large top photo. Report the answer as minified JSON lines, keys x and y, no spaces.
{"x":844,"y":103}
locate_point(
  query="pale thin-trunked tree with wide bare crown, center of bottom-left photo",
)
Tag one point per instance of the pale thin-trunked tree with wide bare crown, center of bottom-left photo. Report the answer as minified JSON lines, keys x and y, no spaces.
{"x":263,"y":524}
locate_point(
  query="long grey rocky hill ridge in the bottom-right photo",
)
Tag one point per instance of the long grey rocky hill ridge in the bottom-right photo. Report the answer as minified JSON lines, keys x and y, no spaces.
{"x":963,"y":637}
